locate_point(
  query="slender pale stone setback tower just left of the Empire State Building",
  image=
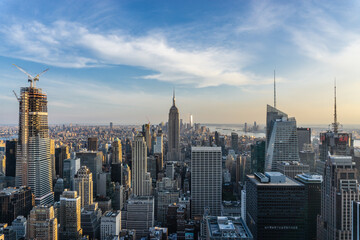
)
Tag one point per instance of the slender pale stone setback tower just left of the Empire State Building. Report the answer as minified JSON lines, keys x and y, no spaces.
{"x":139,"y":168}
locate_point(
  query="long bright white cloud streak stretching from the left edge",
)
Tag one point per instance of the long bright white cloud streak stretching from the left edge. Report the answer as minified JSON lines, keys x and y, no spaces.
{"x":67,"y":44}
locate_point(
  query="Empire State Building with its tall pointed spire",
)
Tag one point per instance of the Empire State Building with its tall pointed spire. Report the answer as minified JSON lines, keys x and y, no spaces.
{"x":174,"y":153}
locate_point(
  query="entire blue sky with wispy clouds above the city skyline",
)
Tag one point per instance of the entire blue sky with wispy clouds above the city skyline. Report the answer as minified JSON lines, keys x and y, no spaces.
{"x":119,"y":60}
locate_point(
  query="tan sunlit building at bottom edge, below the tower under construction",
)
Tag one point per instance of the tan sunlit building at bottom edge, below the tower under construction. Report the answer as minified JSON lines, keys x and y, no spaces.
{"x":42,"y":223}
